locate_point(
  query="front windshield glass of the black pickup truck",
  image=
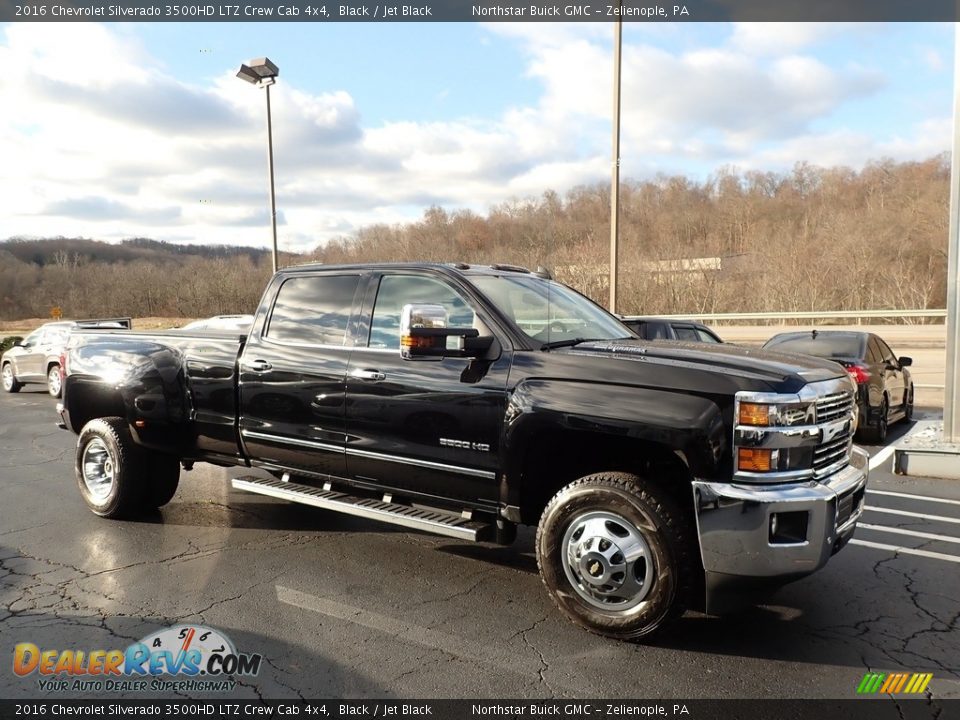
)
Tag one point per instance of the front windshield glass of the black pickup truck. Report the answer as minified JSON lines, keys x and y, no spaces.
{"x":547,"y":311}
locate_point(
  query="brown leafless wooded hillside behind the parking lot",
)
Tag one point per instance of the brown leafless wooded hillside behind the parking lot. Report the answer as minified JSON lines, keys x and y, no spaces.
{"x":812,"y":239}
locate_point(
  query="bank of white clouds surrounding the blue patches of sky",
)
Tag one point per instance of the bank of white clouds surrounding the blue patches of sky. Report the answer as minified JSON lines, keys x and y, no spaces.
{"x":135,"y":151}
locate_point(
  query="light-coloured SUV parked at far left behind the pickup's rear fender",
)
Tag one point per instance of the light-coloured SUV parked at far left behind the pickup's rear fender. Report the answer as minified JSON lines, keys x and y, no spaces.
{"x":36,"y":358}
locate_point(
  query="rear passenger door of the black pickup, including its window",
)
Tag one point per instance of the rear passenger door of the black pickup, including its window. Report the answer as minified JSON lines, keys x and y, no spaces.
{"x":292,"y":374}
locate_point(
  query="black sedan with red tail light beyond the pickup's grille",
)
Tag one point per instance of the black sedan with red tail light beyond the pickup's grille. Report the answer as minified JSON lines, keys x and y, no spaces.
{"x":884,"y":386}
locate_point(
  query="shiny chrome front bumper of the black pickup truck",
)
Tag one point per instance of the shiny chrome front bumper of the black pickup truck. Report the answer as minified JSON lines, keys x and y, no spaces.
{"x":737,"y":542}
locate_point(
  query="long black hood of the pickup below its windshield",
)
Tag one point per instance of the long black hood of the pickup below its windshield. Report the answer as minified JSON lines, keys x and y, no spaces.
{"x":729,"y":359}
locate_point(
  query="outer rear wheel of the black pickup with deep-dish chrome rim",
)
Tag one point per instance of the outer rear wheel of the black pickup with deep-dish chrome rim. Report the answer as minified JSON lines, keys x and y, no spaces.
{"x":111,"y":469}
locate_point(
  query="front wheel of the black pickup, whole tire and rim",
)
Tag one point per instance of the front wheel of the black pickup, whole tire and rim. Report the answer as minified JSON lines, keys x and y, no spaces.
{"x":617,"y":508}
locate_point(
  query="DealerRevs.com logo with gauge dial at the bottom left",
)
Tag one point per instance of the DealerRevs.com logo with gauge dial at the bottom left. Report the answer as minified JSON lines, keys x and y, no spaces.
{"x":181,"y":658}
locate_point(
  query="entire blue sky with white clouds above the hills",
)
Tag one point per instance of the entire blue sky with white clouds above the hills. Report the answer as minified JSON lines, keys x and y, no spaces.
{"x":125,"y":129}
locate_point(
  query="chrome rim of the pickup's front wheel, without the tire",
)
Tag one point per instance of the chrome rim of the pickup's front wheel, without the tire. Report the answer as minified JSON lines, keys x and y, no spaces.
{"x":608,"y":561}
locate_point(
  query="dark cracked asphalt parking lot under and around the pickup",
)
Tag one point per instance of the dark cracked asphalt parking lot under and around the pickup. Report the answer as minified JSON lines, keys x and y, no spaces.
{"x":341,"y":607}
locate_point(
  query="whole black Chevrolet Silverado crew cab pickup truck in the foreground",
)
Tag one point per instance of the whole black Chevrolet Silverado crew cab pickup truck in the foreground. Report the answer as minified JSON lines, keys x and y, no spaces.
{"x":449,"y":399}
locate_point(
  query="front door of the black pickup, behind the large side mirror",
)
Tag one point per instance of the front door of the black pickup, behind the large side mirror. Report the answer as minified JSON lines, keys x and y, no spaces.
{"x":426,"y":426}
